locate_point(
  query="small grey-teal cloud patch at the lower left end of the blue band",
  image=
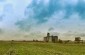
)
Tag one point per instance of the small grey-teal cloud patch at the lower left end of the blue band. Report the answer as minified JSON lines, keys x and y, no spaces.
{"x":26,"y":24}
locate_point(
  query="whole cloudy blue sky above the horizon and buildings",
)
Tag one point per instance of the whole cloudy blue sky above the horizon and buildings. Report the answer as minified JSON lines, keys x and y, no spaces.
{"x":32,"y":19}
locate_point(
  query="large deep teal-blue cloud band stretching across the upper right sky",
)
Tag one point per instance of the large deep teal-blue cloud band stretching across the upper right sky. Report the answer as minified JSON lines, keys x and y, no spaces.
{"x":41,"y":11}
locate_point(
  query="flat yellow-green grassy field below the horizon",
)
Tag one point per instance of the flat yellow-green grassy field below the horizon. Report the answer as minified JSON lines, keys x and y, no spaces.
{"x":40,"y":48}
